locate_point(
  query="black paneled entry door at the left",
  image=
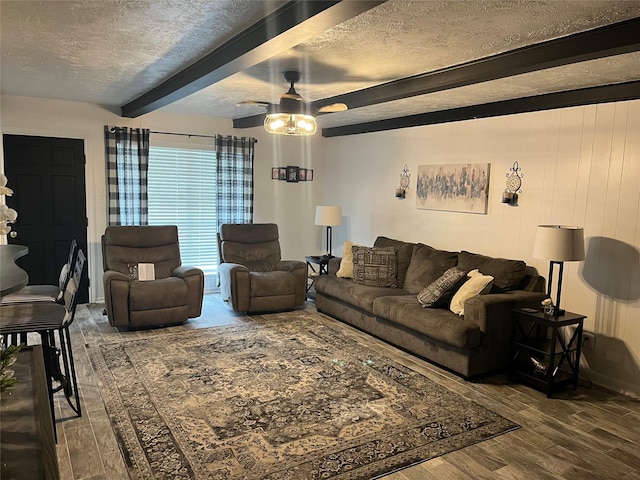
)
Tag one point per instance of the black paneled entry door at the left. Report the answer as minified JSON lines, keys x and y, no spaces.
{"x":47,"y":176}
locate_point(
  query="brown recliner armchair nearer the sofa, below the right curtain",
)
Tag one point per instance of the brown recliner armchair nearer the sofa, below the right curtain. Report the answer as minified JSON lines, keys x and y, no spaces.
{"x":253,"y":278}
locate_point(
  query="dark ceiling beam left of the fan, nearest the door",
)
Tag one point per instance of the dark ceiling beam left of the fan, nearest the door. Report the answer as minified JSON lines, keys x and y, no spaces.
{"x":288,"y":26}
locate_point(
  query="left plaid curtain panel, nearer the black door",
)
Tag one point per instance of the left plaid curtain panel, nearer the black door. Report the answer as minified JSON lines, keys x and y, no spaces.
{"x":127,"y":157}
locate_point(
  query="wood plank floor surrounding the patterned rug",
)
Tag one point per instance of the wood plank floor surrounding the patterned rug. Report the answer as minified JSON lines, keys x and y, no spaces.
{"x":586,"y":434}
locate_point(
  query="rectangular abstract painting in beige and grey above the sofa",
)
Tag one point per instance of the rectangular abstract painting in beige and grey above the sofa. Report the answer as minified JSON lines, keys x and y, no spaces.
{"x":455,"y":188}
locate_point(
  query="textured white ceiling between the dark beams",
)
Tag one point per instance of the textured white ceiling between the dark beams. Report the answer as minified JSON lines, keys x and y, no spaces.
{"x":111,"y":52}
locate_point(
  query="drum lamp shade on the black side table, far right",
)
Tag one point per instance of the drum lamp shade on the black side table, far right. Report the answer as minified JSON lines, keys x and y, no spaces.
{"x":559,"y":243}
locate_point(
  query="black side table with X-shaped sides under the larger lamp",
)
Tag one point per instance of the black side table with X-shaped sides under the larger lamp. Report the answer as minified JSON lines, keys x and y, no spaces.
{"x":541,"y":356}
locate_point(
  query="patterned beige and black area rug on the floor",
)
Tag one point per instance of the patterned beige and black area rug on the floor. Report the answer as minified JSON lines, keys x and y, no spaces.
{"x":284,"y":397}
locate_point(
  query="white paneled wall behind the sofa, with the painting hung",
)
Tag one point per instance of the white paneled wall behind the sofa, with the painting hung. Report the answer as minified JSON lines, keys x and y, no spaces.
{"x":581,"y":167}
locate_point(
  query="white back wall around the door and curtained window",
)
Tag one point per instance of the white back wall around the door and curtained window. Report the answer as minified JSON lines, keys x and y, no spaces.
{"x":291,"y":205}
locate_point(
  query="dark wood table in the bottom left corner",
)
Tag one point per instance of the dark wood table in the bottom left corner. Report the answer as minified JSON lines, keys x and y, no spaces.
{"x":27,"y":444}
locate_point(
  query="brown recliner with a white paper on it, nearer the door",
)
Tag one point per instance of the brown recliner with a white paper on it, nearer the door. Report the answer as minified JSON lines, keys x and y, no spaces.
{"x":173,"y":297}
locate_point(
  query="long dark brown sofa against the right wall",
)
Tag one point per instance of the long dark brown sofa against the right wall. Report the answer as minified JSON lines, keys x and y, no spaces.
{"x":476,"y":343}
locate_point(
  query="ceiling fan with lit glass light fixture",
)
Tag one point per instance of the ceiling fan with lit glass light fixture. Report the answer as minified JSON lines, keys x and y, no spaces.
{"x":292,"y":115}
